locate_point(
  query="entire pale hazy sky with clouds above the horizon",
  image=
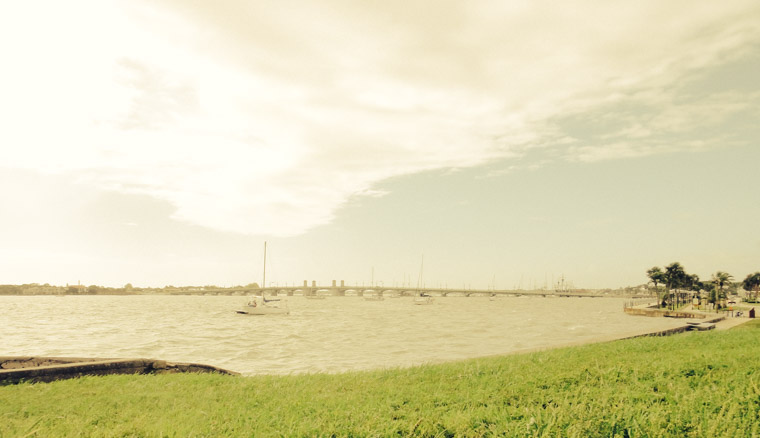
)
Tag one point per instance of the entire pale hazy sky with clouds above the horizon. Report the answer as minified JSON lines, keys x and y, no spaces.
{"x":504,"y":144}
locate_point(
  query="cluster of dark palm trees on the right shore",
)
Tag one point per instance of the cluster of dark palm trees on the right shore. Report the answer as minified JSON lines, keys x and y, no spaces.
{"x":679,"y":286}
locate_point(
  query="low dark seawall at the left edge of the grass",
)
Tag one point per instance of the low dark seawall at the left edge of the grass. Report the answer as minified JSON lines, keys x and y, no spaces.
{"x":47,"y":369}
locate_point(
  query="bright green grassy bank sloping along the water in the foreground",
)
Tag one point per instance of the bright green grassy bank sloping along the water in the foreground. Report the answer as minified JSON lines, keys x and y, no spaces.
{"x":695,"y":384}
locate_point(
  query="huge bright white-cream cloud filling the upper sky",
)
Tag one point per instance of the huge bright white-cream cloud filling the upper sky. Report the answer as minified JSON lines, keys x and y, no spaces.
{"x":267,"y":118}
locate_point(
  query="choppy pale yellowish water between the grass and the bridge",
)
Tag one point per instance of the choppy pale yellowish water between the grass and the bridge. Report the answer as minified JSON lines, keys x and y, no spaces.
{"x":332,"y":335}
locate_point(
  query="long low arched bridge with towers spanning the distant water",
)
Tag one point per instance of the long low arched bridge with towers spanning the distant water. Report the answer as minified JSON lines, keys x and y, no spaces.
{"x":341,"y":290}
